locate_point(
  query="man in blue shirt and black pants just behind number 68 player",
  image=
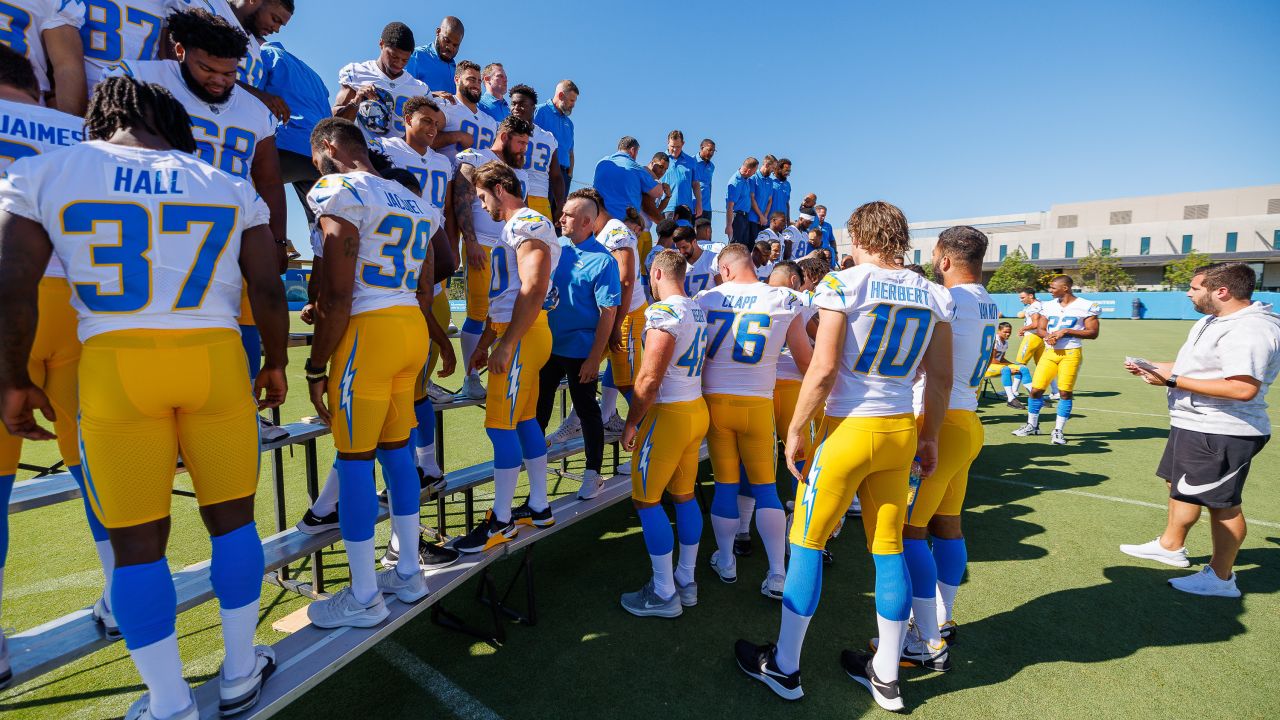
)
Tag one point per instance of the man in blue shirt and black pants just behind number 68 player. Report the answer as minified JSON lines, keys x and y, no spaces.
{"x":294,"y":81}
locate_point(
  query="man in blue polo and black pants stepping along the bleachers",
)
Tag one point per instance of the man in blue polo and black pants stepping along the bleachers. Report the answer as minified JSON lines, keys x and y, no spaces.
{"x":588,"y":291}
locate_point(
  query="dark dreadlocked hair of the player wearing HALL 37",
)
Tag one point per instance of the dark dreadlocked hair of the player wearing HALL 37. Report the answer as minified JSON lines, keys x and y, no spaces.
{"x":122,"y":103}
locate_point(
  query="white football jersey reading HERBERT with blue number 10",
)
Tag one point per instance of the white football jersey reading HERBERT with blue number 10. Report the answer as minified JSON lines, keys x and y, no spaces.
{"x":892,"y":316}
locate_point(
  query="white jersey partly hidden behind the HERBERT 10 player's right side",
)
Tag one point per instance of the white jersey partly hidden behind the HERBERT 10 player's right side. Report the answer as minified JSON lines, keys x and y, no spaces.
{"x":973,"y":338}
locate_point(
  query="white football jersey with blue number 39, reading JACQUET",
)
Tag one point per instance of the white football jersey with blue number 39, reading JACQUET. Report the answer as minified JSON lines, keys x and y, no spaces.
{"x":396,"y":229}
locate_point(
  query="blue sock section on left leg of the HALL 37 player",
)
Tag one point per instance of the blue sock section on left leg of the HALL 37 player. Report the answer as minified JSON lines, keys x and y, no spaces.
{"x":145,"y":603}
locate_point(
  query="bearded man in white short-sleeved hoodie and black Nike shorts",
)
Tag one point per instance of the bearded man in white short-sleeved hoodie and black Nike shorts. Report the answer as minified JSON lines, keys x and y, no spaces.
{"x":1219,"y":421}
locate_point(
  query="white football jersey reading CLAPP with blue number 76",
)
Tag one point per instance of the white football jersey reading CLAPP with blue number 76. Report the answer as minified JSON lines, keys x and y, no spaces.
{"x":747,"y":326}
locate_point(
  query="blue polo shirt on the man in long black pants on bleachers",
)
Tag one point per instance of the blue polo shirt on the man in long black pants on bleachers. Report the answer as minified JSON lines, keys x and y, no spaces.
{"x":587,"y":279}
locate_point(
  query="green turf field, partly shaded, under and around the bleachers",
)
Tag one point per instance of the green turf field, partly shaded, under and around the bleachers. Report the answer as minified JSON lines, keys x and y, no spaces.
{"x":1055,"y":621}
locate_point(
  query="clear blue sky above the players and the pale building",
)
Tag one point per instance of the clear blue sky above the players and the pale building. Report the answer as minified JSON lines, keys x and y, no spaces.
{"x":941,"y":108}
